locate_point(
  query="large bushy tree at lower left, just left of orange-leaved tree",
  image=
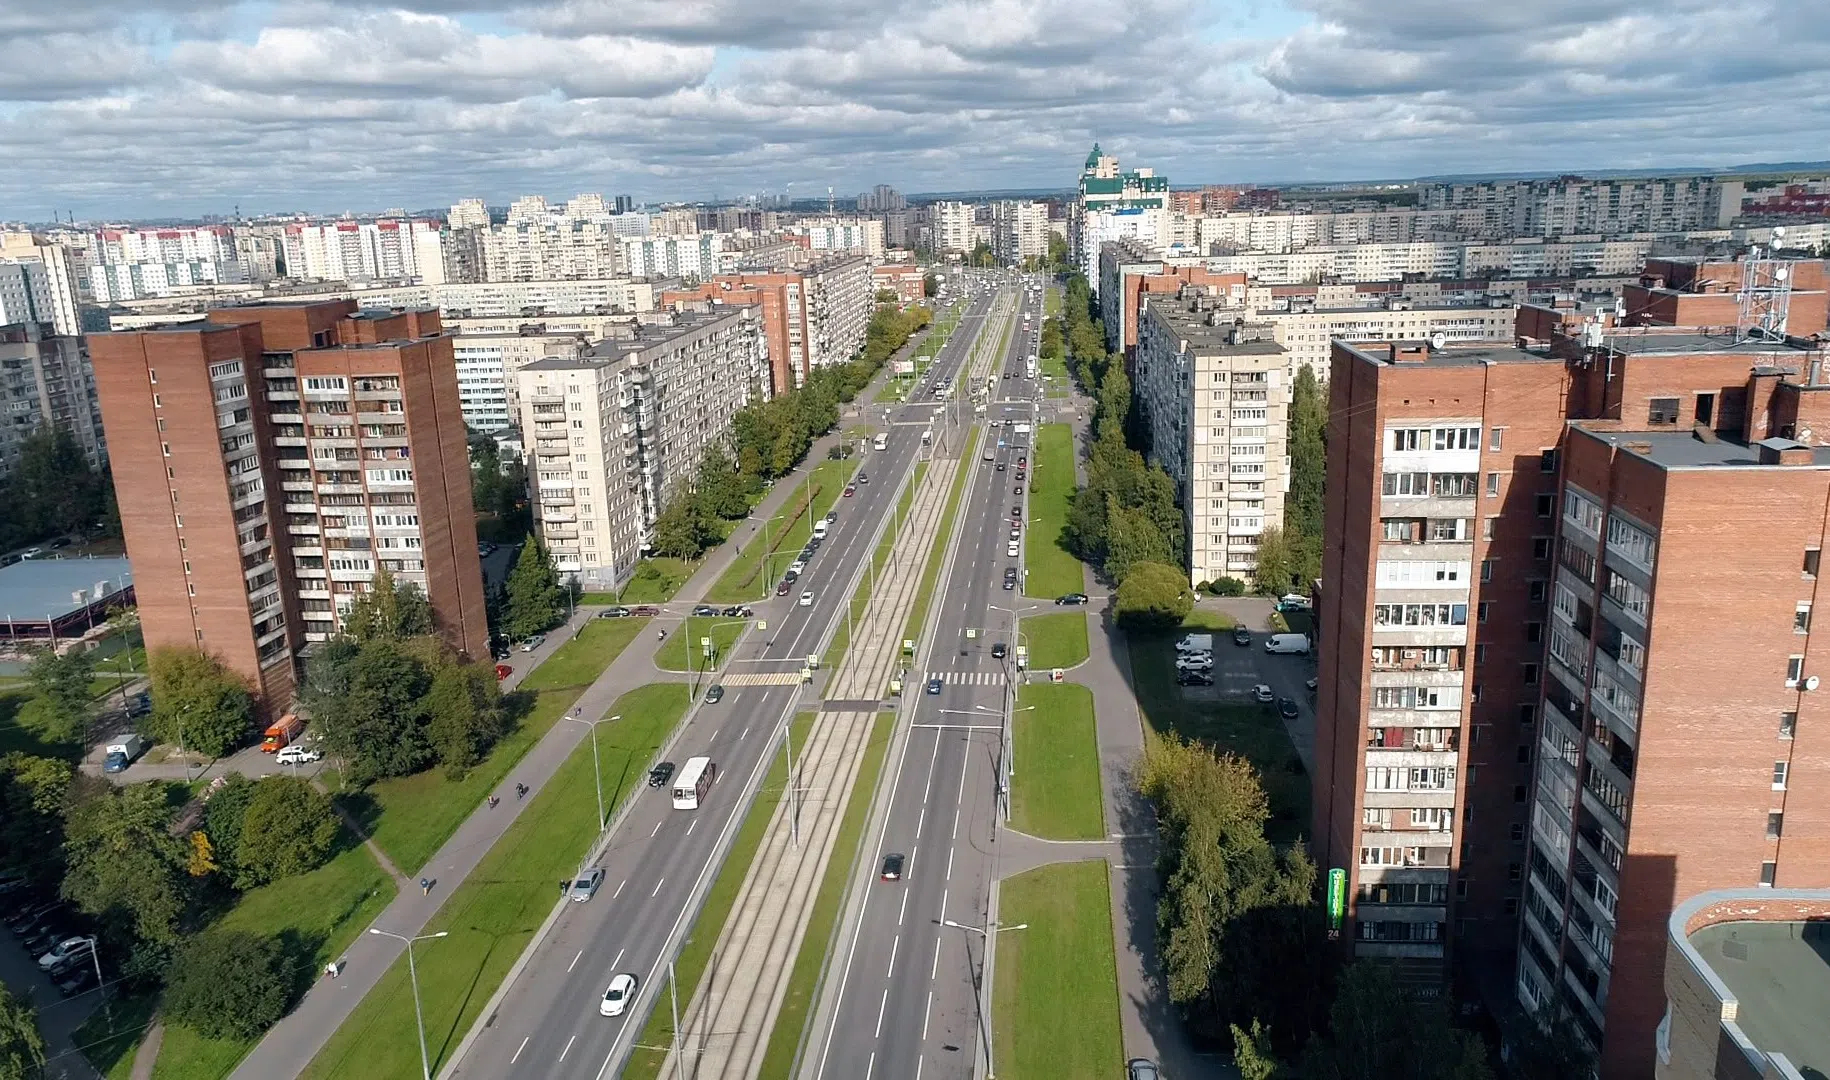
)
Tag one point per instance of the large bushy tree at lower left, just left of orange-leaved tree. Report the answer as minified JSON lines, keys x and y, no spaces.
{"x":124,"y":863}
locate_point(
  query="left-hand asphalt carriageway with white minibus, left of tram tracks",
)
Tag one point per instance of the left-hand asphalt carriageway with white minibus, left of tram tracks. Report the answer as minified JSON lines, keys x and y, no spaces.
{"x":662,"y":861}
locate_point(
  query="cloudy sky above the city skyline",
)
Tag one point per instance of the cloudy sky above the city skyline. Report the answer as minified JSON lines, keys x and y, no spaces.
{"x":118,"y":109}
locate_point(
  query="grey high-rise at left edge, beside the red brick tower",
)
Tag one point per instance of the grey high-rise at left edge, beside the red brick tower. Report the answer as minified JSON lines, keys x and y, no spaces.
{"x":47,"y":382}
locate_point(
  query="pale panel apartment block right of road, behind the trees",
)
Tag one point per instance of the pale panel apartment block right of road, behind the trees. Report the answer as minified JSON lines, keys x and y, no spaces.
{"x":1218,"y":398}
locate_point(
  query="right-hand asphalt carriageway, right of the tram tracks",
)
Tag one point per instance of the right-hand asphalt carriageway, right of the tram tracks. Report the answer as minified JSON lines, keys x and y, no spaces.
{"x":907,"y":1000}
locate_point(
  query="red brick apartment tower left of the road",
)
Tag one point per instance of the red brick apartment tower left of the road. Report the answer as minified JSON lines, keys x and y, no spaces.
{"x":310,"y":446}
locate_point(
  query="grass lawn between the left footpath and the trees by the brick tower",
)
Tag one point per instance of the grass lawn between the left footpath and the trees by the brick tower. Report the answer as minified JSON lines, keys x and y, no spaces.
{"x":411,"y":817}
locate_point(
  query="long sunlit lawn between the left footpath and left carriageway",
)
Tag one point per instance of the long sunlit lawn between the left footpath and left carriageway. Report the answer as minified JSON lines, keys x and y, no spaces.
{"x":499,"y":909}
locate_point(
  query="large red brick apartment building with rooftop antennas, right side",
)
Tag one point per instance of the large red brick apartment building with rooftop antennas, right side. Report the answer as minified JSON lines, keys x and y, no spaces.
{"x":1564,"y":642}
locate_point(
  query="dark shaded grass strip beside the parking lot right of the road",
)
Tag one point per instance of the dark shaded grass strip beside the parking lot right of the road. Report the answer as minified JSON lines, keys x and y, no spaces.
{"x":1247,"y":729}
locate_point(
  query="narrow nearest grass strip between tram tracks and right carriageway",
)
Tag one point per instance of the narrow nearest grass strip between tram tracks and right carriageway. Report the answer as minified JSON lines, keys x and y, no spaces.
{"x":784,"y":1041}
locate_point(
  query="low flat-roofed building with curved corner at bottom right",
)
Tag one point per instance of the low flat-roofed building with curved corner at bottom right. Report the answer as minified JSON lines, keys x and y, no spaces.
{"x":1749,"y":988}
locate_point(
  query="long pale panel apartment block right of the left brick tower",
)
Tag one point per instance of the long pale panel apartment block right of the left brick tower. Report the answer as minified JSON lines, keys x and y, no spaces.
{"x":616,"y":429}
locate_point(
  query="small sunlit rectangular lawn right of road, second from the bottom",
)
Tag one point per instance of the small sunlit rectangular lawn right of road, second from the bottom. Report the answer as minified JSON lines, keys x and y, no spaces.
{"x":1055,"y":792}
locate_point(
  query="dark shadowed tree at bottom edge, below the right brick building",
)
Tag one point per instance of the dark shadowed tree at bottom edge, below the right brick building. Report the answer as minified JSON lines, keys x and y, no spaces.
{"x":1379,"y":1033}
